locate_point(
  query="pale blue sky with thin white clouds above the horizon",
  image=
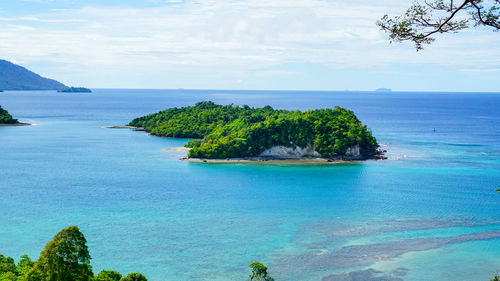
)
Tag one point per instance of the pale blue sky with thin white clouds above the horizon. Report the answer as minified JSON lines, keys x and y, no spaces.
{"x":239,"y":44}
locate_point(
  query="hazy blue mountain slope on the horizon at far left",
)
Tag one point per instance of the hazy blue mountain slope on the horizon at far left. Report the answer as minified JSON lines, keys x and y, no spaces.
{"x":15,"y":77}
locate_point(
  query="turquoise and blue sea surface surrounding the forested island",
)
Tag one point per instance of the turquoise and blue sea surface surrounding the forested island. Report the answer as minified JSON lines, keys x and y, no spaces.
{"x":429,"y":212}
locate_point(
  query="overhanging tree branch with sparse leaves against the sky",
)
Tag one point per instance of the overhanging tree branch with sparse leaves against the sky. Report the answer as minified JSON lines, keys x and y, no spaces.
{"x":426,"y":18}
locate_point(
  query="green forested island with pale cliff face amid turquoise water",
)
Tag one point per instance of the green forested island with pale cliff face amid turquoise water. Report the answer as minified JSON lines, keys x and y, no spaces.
{"x":231,"y":132}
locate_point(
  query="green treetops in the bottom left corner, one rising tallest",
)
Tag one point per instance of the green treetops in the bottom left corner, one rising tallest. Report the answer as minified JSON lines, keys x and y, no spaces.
{"x":66,"y":257}
